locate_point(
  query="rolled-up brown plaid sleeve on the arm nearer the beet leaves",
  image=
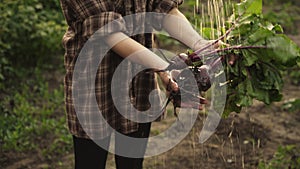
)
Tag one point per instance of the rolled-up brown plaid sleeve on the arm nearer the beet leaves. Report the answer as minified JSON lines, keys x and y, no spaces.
{"x":162,"y":7}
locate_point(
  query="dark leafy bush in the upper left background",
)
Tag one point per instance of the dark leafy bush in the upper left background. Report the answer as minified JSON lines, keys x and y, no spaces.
{"x":31,"y":31}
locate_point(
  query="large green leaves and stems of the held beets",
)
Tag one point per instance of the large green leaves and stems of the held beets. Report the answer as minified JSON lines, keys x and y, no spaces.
{"x":260,"y":49}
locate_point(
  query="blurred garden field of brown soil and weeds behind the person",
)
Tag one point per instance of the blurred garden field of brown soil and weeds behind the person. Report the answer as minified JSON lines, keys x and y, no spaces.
{"x":32,"y":114}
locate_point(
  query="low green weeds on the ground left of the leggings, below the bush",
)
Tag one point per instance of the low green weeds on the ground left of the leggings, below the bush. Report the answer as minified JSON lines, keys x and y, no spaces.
{"x":33,"y":119}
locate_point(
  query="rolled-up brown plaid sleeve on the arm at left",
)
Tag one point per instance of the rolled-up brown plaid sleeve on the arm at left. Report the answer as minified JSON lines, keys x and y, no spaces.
{"x":87,"y":17}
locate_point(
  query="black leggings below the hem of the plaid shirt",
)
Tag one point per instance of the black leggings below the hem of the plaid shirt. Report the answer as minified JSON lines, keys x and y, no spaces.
{"x":88,"y":155}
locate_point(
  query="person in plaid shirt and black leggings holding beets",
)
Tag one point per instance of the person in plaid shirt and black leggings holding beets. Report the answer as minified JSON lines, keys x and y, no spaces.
{"x":84,"y":18}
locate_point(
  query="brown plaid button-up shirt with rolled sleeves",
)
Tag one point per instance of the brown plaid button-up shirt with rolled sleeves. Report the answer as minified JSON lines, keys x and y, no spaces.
{"x":84,"y":18}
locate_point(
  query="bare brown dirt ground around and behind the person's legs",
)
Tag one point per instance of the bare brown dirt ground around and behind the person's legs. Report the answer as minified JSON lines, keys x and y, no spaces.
{"x":240,"y":141}
